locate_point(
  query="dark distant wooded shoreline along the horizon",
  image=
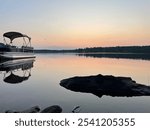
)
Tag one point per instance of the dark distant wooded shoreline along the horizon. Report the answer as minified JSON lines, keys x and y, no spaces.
{"x":117,"y":49}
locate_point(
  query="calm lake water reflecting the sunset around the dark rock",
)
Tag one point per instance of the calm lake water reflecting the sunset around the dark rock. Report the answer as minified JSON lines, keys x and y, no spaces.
{"x":41,"y":85}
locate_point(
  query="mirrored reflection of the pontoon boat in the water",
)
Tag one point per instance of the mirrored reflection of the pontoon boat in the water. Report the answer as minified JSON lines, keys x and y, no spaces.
{"x":16,"y":71}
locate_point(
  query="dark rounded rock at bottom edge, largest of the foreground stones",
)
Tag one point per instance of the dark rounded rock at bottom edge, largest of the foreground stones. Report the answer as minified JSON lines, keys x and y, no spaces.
{"x":52,"y":109}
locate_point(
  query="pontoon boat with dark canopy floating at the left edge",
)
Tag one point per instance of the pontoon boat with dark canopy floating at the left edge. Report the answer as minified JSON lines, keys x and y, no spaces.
{"x":10,"y":51}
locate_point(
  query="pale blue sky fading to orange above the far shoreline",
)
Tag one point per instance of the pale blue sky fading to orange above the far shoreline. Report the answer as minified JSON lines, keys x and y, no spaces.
{"x":67,"y":24}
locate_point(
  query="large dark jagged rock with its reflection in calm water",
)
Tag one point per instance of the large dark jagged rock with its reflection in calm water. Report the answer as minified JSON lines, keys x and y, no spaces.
{"x":100,"y":85}
